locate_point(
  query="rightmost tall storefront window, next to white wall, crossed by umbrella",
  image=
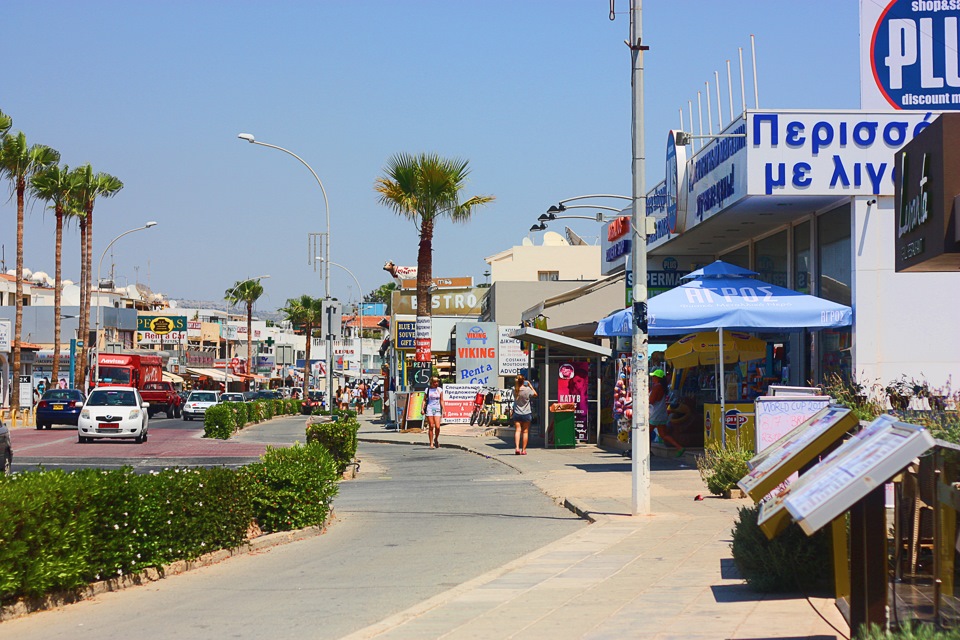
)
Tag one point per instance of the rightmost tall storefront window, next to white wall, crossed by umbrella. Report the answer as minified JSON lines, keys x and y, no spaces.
{"x":833,"y":252}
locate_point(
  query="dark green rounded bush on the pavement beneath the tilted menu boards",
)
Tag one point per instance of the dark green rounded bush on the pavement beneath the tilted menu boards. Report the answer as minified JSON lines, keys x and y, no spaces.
{"x":790,"y":562}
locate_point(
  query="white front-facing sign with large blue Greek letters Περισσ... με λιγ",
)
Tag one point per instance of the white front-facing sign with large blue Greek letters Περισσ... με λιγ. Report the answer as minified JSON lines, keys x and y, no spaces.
{"x":827,"y":153}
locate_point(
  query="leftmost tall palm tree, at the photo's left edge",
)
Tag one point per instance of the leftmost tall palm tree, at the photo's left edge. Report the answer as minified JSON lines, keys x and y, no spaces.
{"x":19,"y":163}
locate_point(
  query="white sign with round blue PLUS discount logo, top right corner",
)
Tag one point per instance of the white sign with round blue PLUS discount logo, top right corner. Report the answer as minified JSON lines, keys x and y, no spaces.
{"x":908,"y":54}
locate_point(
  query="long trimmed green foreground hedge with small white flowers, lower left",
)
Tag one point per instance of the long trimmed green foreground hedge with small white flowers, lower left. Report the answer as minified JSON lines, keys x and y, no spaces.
{"x":60,"y":531}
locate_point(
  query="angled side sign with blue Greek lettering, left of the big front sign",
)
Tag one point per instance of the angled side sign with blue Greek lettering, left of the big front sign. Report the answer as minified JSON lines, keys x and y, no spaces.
{"x":716,"y":175}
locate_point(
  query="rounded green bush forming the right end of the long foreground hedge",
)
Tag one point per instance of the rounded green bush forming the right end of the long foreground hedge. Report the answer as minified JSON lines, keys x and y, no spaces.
{"x":293,"y":487}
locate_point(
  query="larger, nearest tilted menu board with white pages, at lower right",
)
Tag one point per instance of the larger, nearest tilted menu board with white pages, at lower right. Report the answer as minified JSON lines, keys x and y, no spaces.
{"x":859,"y":465}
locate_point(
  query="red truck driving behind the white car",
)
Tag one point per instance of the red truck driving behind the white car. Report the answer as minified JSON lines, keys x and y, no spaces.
{"x":143,"y":372}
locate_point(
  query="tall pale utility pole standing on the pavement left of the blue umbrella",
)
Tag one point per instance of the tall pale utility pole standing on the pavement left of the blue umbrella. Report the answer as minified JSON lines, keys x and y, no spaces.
{"x":639,"y":428}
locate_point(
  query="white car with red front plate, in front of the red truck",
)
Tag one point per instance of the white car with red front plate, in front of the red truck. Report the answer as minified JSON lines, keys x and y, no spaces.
{"x":114,"y":412}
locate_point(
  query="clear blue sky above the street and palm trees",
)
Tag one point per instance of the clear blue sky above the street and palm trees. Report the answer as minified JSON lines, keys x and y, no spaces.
{"x":534,"y":93}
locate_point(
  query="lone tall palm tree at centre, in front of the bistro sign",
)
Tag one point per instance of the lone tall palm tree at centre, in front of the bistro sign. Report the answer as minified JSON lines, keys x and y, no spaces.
{"x":423,"y":188}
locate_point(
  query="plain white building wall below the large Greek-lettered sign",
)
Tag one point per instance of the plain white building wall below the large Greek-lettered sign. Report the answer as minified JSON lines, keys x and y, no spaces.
{"x":906,"y":323}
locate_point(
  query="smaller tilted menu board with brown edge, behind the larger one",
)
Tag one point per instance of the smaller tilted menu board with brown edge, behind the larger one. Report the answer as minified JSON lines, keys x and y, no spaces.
{"x":795,"y":449}
